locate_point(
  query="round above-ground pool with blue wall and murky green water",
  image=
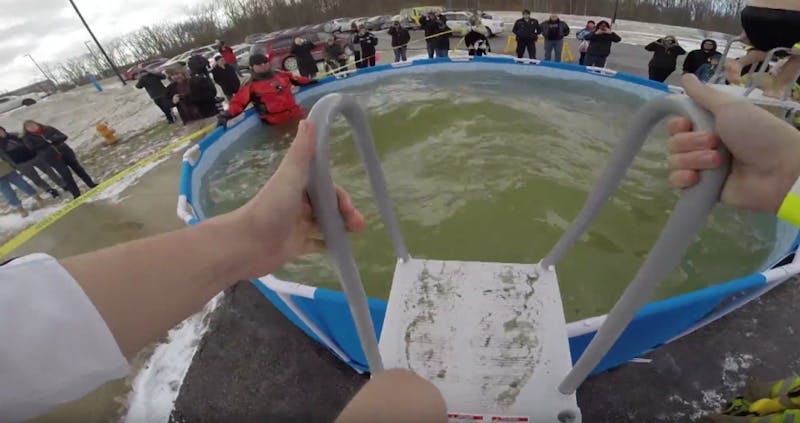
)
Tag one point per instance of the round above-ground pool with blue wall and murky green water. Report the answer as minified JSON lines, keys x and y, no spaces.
{"x":489,"y":160}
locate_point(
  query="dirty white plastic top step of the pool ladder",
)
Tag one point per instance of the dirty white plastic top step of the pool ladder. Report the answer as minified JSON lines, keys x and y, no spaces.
{"x":491,"y":336}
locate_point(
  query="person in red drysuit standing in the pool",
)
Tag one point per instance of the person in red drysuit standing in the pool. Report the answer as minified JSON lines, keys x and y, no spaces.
{"x":270,"y":92}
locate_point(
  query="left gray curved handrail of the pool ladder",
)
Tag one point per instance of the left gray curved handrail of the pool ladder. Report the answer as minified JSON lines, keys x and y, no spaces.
{"x":325,"y":204}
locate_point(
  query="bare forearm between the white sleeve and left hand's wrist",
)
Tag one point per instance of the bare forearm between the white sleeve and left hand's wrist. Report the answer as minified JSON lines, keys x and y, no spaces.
{"x":144,"y":288}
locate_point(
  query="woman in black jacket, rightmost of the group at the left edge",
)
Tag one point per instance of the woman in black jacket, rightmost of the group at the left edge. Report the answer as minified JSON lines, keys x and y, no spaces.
{"x":50,"y":144}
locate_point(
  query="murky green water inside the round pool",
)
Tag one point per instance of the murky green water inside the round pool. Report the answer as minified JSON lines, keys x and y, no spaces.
{"x":493,"y":168}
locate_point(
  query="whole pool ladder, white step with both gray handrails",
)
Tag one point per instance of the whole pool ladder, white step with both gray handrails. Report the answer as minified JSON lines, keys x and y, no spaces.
{"x":559,"y":378}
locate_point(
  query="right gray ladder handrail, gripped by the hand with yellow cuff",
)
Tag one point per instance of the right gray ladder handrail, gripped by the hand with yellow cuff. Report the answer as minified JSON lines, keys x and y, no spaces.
{"x":689,"y":215}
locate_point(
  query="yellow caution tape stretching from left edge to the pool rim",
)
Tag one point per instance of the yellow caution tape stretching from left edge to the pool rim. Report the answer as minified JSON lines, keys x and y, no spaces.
{"x":32,"y":231}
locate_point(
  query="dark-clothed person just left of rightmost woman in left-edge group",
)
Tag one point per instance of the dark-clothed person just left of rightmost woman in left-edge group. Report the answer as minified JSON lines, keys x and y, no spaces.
{"x":25,"y":161}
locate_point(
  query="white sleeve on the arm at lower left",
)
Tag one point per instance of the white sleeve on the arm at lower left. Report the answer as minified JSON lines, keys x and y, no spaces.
{"x":54,"y":345}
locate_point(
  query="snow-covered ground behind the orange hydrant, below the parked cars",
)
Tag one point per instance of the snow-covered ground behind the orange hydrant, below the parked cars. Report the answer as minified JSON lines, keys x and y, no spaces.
{"x":78,"y":111}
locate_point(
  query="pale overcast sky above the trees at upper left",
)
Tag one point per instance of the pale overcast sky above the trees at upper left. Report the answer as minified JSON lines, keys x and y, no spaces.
{"x":50,"y":30}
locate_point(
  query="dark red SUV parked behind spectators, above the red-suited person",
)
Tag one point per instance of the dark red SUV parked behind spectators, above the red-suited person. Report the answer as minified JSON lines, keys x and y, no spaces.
{"x":280,"y":47}
